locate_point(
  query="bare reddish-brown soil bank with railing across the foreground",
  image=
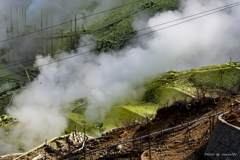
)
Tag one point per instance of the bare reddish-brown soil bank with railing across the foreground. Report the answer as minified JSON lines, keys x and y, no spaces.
{"x":181,"y":143}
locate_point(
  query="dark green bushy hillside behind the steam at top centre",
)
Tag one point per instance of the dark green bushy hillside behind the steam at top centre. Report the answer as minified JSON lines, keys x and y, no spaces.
{"x":115,"y":28}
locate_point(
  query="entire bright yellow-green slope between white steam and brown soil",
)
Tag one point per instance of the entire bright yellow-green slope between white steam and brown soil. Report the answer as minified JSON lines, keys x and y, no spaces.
{"x":162,"y":92}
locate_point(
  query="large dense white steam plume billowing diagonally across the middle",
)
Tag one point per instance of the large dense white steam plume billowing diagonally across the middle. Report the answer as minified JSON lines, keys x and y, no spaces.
{"x":112,"y":78}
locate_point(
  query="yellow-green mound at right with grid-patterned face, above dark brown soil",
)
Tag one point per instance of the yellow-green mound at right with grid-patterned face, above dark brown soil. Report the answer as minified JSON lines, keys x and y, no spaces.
{"x":183,"y":85}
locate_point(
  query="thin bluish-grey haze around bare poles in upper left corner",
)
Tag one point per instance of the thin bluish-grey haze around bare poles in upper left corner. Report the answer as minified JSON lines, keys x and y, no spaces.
{"x":24,"y":16}
